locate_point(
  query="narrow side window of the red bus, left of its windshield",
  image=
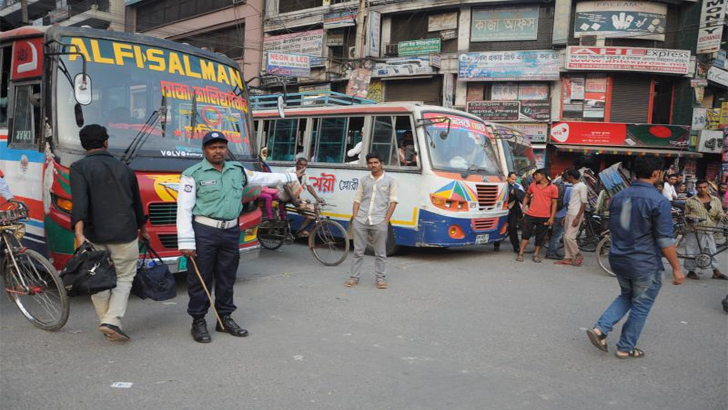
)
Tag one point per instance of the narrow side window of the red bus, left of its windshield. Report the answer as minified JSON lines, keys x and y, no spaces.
{"x":25,"y":114}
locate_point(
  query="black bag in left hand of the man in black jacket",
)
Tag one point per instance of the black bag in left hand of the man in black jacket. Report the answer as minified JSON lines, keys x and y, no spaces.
{"x":89,"y":271}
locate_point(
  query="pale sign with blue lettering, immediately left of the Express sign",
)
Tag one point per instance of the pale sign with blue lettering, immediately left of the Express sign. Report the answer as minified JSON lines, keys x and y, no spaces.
{"x":509,"y":66}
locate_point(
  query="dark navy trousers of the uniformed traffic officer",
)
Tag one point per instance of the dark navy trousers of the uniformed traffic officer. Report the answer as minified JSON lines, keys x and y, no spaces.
{"x":217,"y":259}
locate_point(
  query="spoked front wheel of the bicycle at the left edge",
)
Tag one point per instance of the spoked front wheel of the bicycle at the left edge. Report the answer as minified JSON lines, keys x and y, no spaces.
{"x":36,"y":289}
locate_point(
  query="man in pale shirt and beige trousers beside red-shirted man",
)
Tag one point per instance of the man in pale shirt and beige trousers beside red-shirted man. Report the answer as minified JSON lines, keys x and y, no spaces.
{"x":574,"y":215}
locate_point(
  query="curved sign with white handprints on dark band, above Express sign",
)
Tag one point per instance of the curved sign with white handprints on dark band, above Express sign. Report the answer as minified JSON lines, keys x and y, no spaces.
{"x":618,"y":19}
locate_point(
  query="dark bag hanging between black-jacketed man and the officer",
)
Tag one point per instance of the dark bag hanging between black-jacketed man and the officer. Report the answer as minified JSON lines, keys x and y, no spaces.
{"x":153,"y":279}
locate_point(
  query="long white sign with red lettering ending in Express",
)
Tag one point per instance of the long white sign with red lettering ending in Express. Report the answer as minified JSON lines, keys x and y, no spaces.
{"x":653,"y":60}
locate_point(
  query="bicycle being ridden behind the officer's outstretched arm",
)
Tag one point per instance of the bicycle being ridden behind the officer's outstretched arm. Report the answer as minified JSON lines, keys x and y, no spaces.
{"x":328,"y":240}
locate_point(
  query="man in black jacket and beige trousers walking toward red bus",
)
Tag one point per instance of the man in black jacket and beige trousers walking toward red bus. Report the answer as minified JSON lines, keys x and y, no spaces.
{"x":108,"y":213}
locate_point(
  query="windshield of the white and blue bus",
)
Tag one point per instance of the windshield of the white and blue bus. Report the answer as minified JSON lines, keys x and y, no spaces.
{"x":459,"y":144}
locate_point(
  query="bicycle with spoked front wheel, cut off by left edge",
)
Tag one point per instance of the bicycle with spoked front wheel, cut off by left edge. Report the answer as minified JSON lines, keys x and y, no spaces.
{"x":30,"y":280}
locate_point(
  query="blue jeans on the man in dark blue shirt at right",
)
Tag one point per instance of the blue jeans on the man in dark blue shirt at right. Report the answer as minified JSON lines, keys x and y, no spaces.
{"x":637,"y":297}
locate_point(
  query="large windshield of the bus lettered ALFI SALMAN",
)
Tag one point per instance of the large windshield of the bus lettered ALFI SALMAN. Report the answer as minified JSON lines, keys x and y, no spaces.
{"x":129,"y":82}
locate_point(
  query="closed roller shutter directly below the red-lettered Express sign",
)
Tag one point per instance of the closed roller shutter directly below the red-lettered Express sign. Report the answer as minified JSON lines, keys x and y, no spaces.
{"x":630,"y":98}
